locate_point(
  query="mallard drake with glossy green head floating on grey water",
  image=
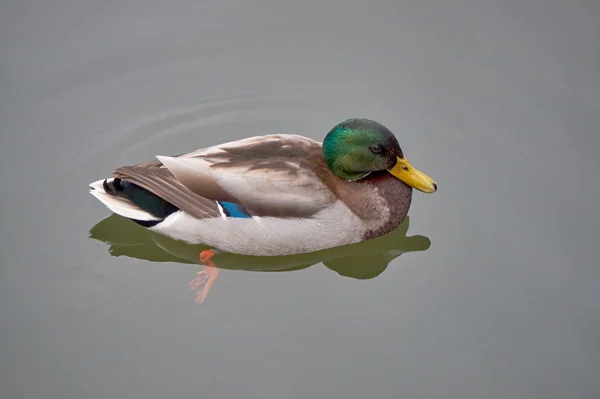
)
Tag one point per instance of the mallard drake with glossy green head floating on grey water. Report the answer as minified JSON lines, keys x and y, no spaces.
{"x":278,"y":194}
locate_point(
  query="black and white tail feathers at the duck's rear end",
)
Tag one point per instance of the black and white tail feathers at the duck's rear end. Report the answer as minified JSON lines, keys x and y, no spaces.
{"x":132,"y":201}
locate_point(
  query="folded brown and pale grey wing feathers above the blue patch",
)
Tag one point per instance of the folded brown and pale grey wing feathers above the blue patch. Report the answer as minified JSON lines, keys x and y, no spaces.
{"x":275,"y":175}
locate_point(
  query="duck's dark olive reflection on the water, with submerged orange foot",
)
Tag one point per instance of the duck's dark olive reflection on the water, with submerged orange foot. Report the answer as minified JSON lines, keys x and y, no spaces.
{"x":364,"y":260}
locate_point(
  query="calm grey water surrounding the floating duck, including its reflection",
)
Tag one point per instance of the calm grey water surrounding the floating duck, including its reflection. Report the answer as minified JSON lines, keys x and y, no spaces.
{"x":490,"y":290}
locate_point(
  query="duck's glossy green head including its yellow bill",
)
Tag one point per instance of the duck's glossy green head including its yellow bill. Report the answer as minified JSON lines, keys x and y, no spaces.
{"x":356,"y":147}
